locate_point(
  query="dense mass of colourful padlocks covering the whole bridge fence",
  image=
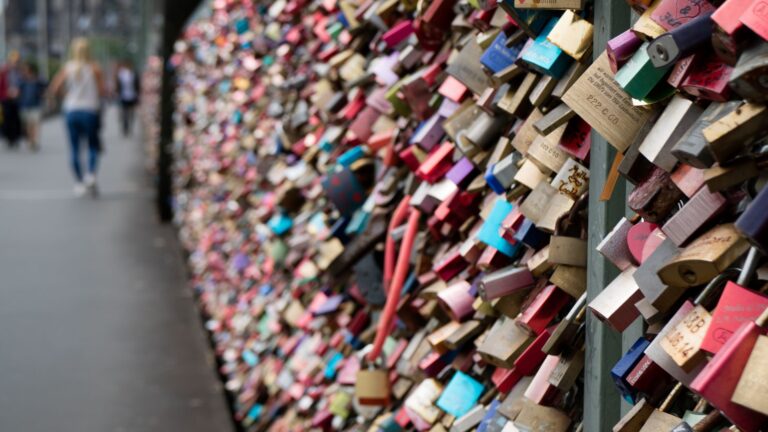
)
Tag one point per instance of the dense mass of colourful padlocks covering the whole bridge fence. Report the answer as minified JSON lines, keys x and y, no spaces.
{"x":385,"y":204}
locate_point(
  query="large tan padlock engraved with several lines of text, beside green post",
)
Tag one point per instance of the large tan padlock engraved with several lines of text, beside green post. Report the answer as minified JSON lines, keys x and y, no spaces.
{"x":599,"y":100}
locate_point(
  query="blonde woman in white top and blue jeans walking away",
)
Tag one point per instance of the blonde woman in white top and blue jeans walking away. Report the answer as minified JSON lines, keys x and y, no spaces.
{"x":82,"y":83}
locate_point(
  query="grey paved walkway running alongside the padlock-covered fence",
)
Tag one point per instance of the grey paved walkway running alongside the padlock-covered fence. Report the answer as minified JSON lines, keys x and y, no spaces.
{"x":98,"y":331}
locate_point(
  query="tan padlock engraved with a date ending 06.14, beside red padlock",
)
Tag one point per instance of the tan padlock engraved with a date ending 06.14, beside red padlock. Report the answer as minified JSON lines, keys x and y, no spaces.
{"x":683,"y":342}
